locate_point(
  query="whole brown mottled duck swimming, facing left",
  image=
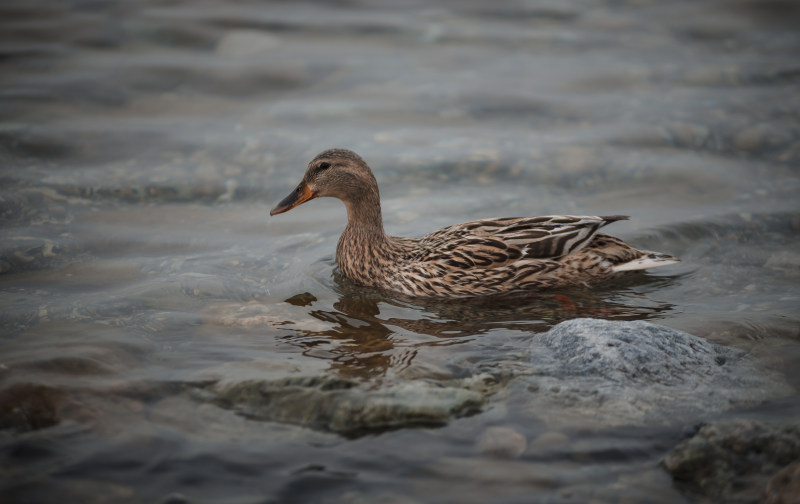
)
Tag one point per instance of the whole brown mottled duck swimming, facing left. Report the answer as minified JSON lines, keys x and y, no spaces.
{"x":477,"y":258}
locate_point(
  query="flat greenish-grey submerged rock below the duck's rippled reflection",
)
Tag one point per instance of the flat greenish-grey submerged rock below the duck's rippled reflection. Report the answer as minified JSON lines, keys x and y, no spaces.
{"x":341,"y":405}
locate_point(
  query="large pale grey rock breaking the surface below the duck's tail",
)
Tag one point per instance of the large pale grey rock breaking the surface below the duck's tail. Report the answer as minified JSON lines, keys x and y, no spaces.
{"x":624,"y":373}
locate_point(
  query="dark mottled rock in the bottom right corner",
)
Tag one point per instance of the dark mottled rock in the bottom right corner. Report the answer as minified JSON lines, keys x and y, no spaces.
{"x":733,"y":460}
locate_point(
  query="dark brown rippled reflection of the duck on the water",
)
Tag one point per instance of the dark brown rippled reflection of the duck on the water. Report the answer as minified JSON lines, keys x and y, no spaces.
{"x":379,"y":332}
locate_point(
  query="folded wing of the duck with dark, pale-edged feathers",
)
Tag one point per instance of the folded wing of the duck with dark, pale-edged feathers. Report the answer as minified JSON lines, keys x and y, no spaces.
{"x":491,"y":243}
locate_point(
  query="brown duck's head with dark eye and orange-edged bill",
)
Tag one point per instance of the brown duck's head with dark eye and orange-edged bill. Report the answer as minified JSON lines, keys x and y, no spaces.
{"x":339,"y":173}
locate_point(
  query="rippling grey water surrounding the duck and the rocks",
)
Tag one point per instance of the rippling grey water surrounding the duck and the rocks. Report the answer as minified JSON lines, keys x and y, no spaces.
{"x":143,"y":144}
